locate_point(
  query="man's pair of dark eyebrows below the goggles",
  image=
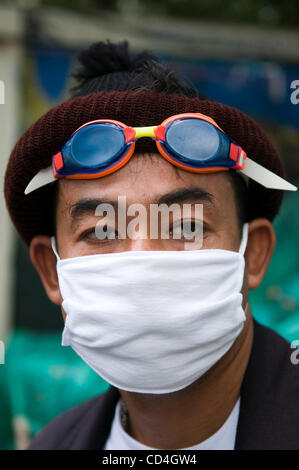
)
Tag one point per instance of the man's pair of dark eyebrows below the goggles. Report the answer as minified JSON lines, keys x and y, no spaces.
{"x":87,"y":206}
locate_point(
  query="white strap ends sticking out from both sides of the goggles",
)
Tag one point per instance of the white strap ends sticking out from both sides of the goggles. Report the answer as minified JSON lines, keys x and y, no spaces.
{"x":252,"y":170}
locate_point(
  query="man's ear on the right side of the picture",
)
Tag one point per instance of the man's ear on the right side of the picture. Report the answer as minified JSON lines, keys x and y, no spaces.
{"x":259,"y":250}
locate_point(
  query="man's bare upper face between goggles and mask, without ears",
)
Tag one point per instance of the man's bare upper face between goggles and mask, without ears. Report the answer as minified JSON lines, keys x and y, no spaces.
{"x":145,"y":180}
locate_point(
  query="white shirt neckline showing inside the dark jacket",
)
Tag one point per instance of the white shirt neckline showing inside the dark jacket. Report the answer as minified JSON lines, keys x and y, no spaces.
{"x":223,"y":439}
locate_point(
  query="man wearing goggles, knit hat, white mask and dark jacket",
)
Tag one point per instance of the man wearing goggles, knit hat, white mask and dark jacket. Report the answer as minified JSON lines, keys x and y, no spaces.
{"x":168,"y":324}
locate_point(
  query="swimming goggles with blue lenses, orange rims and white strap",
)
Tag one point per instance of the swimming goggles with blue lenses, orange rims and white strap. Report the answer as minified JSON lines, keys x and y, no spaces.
{"x":193,"y":142}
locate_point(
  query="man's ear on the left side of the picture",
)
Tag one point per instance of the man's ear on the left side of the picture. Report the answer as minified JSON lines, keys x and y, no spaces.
{"x":44,"y":260}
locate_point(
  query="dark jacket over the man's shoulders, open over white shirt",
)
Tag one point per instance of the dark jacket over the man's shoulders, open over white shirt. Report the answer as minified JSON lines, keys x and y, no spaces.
{"x":269,"y":408}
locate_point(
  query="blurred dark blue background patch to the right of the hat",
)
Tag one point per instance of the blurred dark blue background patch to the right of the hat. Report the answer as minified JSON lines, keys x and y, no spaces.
{"x":260,"y":88}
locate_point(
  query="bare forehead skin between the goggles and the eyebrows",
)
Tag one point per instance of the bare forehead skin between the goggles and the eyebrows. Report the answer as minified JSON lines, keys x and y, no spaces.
{"x":147,"y":177}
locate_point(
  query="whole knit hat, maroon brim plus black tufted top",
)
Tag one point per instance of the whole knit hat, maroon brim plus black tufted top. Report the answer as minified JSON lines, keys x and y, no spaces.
{"x":137,"y":91}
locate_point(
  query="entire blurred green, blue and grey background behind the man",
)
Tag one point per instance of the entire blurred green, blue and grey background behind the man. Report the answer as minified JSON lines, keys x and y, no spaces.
{"x":243,"y":53}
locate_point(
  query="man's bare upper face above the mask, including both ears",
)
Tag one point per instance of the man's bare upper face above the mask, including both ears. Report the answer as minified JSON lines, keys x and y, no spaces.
{"x":146,"y":180}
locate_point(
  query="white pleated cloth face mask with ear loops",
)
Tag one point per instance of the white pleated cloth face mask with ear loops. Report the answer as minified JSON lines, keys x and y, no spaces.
{"x":152,"y":321}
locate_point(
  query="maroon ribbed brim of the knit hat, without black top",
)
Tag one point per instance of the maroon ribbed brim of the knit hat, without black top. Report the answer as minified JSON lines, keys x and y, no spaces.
{"x":32,"y":214}
